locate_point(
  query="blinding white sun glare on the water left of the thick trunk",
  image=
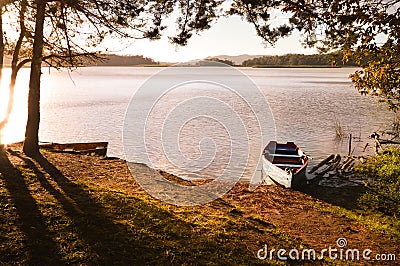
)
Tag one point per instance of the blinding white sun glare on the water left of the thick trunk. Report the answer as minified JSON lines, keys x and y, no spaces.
{"x":15,"y":128}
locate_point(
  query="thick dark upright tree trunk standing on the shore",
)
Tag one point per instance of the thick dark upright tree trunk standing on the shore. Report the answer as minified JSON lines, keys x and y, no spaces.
{"x":31,"y":144}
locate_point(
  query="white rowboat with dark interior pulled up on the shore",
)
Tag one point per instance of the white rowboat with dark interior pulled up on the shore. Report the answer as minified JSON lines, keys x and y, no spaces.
{"x":285,"y":164}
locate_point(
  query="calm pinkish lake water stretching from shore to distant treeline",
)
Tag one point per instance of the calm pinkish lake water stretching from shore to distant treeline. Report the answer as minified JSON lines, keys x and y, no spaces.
{"x":301,"y":105}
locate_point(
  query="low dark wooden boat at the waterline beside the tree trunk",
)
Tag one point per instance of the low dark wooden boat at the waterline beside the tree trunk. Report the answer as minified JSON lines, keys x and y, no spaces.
{"x":98,"y":148}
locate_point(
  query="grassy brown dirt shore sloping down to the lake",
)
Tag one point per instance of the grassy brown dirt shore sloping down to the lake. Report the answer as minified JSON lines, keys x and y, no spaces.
{"x":80,"y":209}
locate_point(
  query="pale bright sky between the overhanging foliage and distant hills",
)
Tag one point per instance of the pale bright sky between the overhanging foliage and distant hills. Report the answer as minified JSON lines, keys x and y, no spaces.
{"x":229,"y":36}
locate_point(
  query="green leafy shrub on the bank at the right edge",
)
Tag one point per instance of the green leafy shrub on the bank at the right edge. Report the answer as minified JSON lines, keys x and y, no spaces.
{"x":383,"y":173}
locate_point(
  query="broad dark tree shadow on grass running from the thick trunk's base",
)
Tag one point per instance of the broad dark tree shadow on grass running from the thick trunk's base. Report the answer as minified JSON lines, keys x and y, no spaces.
{"x":106,"y":242}
